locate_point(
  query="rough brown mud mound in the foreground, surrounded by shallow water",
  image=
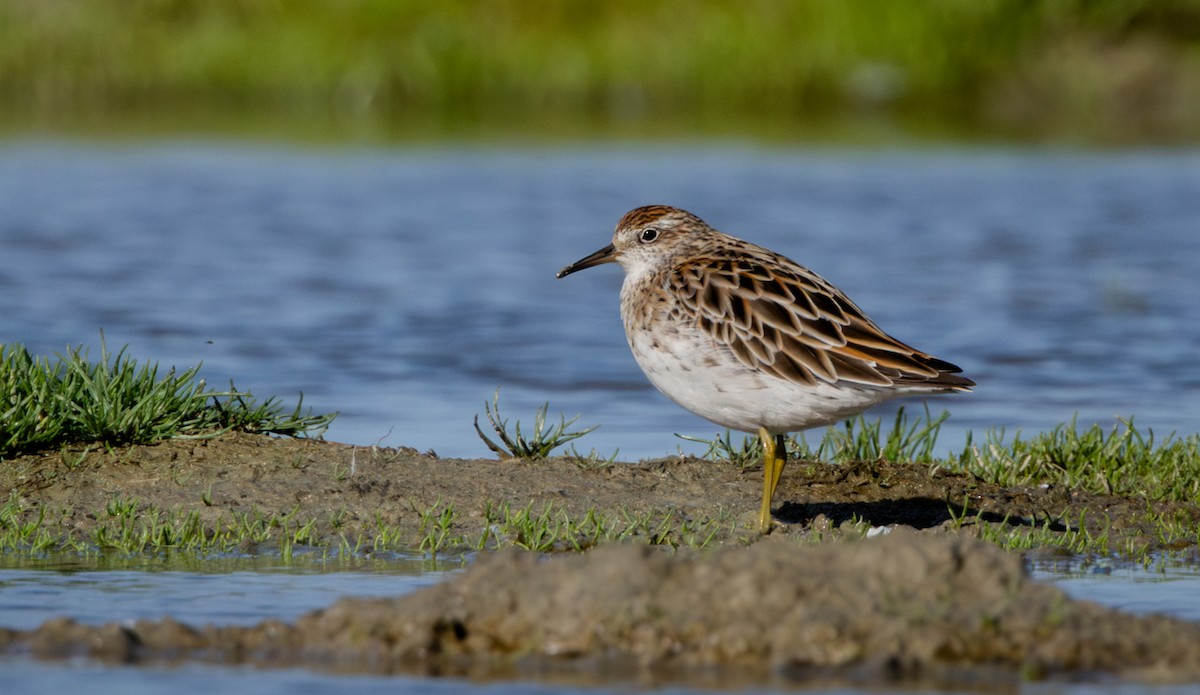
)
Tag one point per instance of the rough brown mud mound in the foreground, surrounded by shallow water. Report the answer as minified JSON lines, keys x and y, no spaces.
{"x":908,"y":606}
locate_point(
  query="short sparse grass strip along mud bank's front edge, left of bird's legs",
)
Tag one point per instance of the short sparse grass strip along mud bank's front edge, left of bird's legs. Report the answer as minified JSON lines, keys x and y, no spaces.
{"x":129,"y":528}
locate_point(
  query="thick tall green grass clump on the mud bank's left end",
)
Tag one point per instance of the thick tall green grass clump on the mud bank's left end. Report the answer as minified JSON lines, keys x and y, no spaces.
{"x":49,"y":403}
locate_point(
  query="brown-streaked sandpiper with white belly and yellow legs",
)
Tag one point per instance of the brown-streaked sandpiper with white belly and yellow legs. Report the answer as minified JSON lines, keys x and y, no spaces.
{"x":752,"y":340}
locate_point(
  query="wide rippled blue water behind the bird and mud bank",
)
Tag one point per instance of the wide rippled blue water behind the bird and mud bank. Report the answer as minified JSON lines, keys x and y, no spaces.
{"x":401,"y":286}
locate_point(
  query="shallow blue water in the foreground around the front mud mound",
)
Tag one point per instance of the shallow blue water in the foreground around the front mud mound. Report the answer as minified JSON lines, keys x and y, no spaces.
{"x":29,"y":597}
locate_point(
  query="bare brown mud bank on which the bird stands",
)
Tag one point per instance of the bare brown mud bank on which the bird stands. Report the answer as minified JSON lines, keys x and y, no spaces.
{"x":349,"y":494}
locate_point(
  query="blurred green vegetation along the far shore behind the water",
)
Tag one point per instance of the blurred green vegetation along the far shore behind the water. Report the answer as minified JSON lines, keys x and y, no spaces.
{"x":1085,"y":69}
